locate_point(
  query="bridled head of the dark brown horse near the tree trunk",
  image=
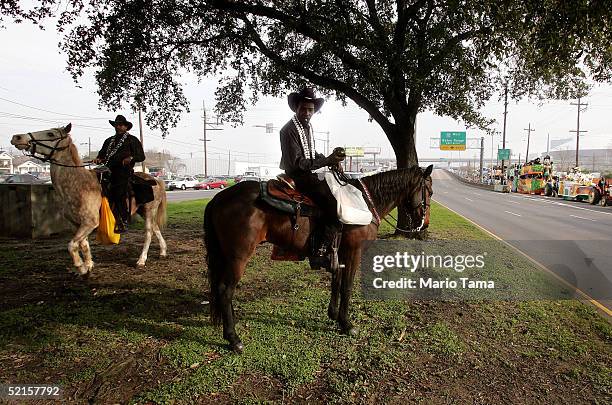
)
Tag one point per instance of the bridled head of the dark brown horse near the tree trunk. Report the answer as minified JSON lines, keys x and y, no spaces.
{"x":416,"y":203}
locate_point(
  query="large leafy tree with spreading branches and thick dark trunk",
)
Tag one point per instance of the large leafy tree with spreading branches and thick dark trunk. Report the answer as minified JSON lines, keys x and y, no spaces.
{"x":393,"y":58}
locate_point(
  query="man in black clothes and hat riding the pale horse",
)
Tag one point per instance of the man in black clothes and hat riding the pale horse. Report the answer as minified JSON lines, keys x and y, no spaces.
{"x":120,"y":153}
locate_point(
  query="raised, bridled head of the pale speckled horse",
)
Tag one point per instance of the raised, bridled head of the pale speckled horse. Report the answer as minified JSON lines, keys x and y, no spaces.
{"x":44,"y":143}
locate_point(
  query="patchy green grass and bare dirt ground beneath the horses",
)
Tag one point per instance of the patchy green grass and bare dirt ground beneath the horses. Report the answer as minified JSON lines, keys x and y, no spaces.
{"x":149,"y":335}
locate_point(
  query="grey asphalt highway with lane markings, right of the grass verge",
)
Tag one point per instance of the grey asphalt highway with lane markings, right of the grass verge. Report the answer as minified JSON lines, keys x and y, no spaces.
{"x":572,"y":239}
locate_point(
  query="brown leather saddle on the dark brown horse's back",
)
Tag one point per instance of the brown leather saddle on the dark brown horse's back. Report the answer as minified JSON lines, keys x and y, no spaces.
{"x":281,"y":194}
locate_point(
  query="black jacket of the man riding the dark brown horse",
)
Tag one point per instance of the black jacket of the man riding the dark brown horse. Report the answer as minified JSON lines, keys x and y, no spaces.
{"x":293,"y":159}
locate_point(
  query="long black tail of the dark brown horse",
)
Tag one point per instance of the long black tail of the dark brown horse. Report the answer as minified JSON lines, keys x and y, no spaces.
{"x":214,"y":261}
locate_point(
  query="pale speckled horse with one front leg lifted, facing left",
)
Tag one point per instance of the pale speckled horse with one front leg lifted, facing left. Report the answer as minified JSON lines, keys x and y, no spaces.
{"x":81,"y":193}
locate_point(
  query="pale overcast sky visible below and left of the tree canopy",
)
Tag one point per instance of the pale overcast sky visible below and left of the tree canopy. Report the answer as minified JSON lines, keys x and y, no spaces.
{"x":32,"y":73}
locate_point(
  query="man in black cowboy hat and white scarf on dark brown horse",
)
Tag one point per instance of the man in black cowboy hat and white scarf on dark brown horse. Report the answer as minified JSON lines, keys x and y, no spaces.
{"x":299,"y":159}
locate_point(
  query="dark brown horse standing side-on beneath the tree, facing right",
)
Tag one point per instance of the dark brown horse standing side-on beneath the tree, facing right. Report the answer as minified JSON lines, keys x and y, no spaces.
{"x":236,"y":221}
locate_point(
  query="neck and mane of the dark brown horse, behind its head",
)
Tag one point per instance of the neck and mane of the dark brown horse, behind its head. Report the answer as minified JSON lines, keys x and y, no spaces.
{"x":385,"y":186}
